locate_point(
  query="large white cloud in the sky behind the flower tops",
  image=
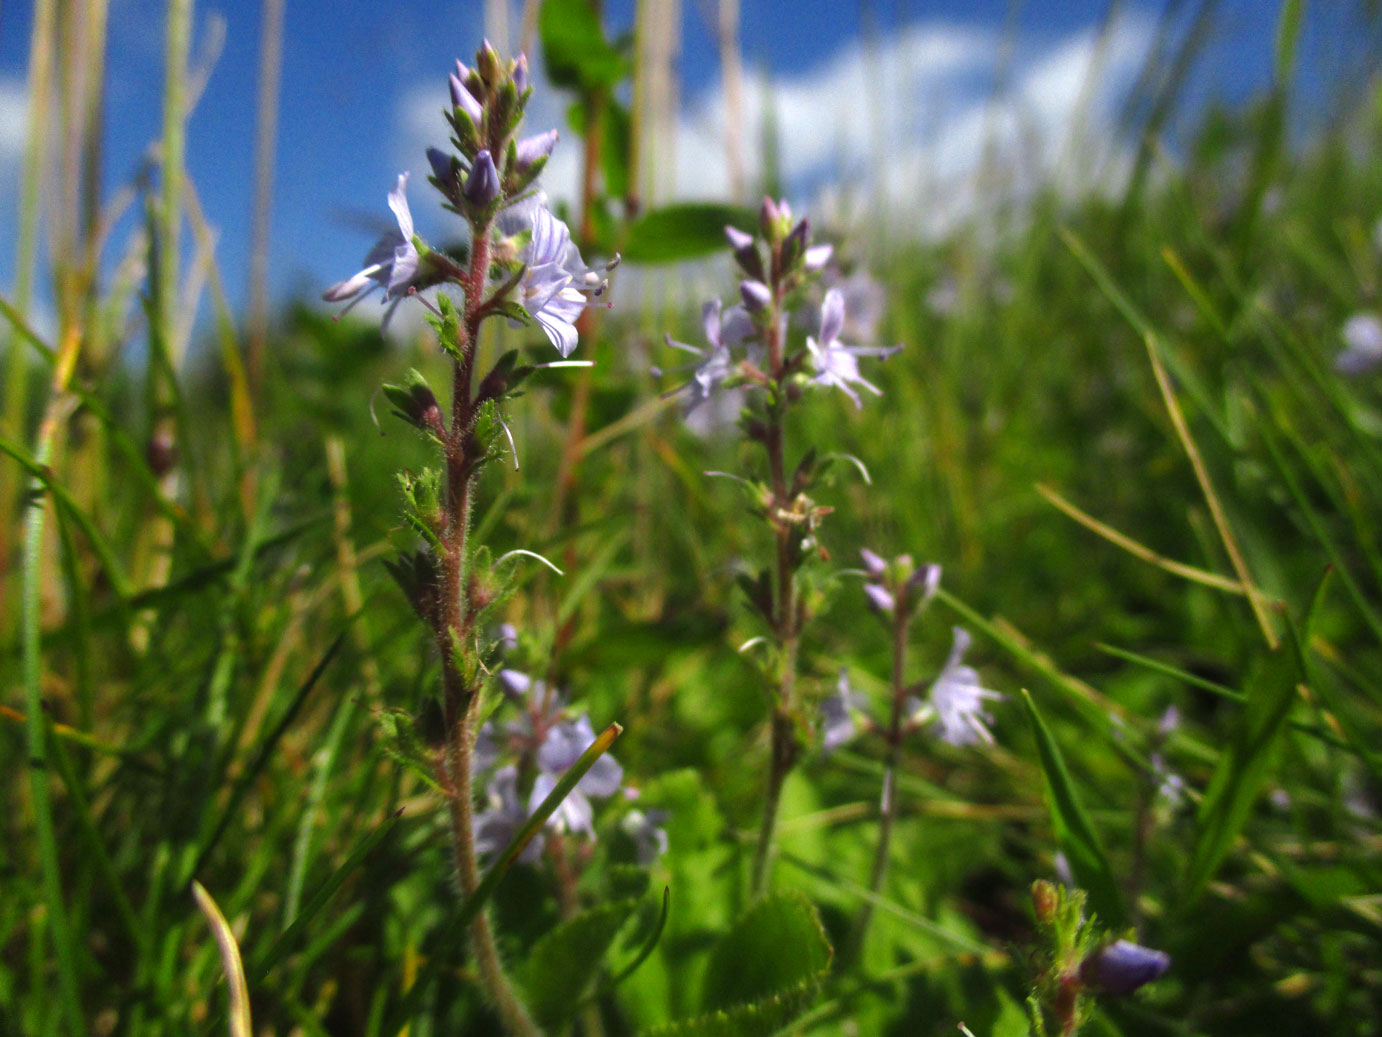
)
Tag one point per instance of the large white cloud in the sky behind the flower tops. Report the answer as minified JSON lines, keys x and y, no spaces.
{"x":906,"y":125}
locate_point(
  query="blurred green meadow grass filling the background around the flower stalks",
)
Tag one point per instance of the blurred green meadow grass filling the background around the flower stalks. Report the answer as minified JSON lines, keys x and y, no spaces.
{"x":201,"y":648}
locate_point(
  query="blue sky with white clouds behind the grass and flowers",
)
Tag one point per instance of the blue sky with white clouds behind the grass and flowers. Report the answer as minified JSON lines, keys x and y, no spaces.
{"x":364,"y":85}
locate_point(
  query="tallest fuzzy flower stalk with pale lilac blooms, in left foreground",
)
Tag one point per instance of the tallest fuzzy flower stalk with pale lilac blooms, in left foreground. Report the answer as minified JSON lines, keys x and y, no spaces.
{"x":518,"y":265}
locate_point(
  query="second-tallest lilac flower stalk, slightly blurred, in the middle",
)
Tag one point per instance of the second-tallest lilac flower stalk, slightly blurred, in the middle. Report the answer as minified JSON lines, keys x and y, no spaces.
{"x":748,"y":346}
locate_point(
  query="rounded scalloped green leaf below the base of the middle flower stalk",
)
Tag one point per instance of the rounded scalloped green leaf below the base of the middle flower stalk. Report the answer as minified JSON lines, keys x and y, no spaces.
{"x":775,"y":948}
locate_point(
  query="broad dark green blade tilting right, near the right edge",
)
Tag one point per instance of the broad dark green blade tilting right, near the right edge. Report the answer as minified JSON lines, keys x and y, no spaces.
{"x":1242,"y":769}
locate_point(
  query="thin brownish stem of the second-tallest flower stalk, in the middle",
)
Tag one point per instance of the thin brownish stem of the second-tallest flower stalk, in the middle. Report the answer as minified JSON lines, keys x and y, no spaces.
{"x":784,"y":610}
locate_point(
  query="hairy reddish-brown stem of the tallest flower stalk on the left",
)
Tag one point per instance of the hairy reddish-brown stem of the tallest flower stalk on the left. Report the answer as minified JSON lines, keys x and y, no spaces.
{"x":453,"y":631}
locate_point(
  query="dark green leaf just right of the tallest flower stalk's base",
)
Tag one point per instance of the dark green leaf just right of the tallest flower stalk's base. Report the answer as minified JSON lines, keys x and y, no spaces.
{"x":565,"y":963}
